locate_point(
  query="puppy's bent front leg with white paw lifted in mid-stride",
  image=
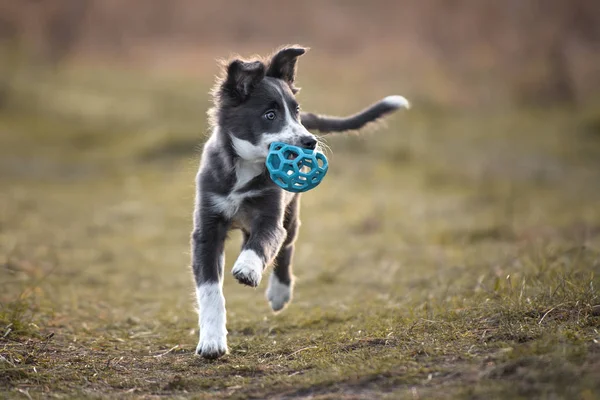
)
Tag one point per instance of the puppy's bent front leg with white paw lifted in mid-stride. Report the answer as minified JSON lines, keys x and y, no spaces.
{"x":264,"y":241}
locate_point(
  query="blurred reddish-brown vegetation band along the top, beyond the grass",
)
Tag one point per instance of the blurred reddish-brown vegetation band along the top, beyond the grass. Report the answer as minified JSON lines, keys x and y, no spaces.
{"x":538,"y":51}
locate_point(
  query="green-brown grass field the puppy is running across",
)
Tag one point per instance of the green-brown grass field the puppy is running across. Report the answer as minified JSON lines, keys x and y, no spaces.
{"x":448,"y":255}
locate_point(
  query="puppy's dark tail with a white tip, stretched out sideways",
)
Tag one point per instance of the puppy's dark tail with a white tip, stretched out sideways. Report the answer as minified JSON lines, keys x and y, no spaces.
{"x":327,"y":124}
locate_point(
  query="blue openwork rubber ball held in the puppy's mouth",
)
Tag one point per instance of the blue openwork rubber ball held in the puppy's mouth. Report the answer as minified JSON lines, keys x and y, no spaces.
{"x":294,"y":168}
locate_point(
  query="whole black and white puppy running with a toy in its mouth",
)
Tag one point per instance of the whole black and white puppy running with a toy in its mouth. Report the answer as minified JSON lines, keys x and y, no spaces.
{"x":254,"y":105}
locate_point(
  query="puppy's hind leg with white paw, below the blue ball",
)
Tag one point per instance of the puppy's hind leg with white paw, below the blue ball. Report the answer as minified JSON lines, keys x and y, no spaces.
{"x":279,"y":291}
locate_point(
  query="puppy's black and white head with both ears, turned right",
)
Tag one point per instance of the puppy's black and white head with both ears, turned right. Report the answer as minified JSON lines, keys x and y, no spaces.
{"x":255,"y":104}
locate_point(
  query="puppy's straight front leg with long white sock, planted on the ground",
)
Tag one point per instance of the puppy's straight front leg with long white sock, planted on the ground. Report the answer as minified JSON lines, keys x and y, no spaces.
{"x":208,"y":259}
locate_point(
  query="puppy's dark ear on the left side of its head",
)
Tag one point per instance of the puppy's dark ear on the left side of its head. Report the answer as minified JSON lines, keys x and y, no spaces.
{"x":241,"y":79}
